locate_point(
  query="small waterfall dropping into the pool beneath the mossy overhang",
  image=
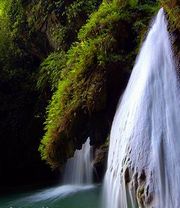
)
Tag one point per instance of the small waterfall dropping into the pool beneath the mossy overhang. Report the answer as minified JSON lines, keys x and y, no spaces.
{"x":78,"y":169}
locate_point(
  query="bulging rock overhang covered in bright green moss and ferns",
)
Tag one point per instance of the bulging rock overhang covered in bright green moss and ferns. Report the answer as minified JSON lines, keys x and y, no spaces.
{"x":95,"y":74}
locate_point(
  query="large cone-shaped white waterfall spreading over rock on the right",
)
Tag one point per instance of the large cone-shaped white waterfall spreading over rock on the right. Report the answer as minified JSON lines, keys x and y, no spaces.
{"x":144,"y":154}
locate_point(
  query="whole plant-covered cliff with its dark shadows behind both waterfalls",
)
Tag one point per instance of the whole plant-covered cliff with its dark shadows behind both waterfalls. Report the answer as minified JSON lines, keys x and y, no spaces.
{"x":65,"y":63}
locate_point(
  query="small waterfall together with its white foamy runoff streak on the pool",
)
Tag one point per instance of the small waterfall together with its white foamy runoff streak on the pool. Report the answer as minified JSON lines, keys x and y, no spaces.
{"x":78,"y":177}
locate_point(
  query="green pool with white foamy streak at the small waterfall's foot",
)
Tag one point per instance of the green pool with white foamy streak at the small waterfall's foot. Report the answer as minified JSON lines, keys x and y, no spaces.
{"x":67,"y":196}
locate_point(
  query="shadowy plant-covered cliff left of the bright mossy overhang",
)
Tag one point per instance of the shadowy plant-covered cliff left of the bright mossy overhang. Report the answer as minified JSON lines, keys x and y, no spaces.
{"x":24,"y":44}
